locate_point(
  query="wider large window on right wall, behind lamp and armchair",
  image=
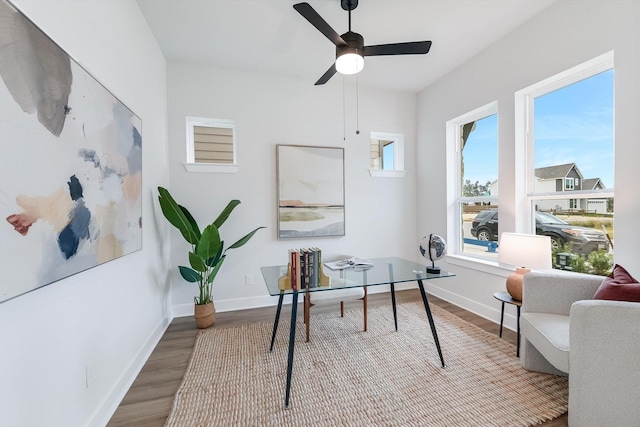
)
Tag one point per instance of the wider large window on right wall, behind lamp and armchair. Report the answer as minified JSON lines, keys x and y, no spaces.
{"x":569,"y":142}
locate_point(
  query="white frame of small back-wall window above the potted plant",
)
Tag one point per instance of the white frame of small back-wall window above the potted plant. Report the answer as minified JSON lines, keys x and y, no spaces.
{"x":191,"y":165}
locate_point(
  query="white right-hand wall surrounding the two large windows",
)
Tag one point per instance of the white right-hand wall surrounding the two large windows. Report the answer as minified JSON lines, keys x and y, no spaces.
{"x":564,"y":35}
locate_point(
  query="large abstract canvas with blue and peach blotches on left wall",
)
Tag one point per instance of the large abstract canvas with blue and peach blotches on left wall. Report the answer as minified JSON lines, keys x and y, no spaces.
{"x":71,"y":164}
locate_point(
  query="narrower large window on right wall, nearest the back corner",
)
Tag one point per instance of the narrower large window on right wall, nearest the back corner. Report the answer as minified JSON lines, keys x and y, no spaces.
{"x":473,"y":142}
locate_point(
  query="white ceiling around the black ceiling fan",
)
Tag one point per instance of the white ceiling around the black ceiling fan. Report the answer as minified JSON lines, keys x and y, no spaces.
{"x":269,"y":36}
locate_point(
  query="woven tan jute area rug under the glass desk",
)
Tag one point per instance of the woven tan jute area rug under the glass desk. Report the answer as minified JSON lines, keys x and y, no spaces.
{"x":347,"y":377}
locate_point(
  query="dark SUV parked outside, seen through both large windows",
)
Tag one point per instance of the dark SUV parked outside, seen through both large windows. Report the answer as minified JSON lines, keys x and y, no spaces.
{"x":583,"y":240}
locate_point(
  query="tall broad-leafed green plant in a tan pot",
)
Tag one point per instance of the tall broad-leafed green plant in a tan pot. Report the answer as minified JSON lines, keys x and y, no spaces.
{"x":207,"y":251}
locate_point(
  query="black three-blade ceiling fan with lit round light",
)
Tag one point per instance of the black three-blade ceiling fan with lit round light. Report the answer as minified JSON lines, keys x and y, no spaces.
{"x":350,"y":48}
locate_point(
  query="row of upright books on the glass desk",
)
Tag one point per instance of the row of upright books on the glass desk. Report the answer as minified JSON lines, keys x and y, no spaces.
{"x":304,"y":270}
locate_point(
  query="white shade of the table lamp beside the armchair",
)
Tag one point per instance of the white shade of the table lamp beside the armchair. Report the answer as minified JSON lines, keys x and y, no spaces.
{"x":525,"y":250}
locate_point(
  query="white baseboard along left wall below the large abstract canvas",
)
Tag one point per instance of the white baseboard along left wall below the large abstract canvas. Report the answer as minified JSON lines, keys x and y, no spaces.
{"x":113,"y":399}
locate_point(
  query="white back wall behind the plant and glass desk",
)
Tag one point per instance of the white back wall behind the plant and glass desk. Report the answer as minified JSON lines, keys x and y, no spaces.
{"x":270,"y":110}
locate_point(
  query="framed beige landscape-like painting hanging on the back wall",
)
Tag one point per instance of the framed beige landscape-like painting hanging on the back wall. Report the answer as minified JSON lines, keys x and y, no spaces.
{"x":310,"y":191}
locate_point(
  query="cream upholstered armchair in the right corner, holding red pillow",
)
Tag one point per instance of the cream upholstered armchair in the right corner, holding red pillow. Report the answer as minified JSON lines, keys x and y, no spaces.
{"x":597,"y":343}
